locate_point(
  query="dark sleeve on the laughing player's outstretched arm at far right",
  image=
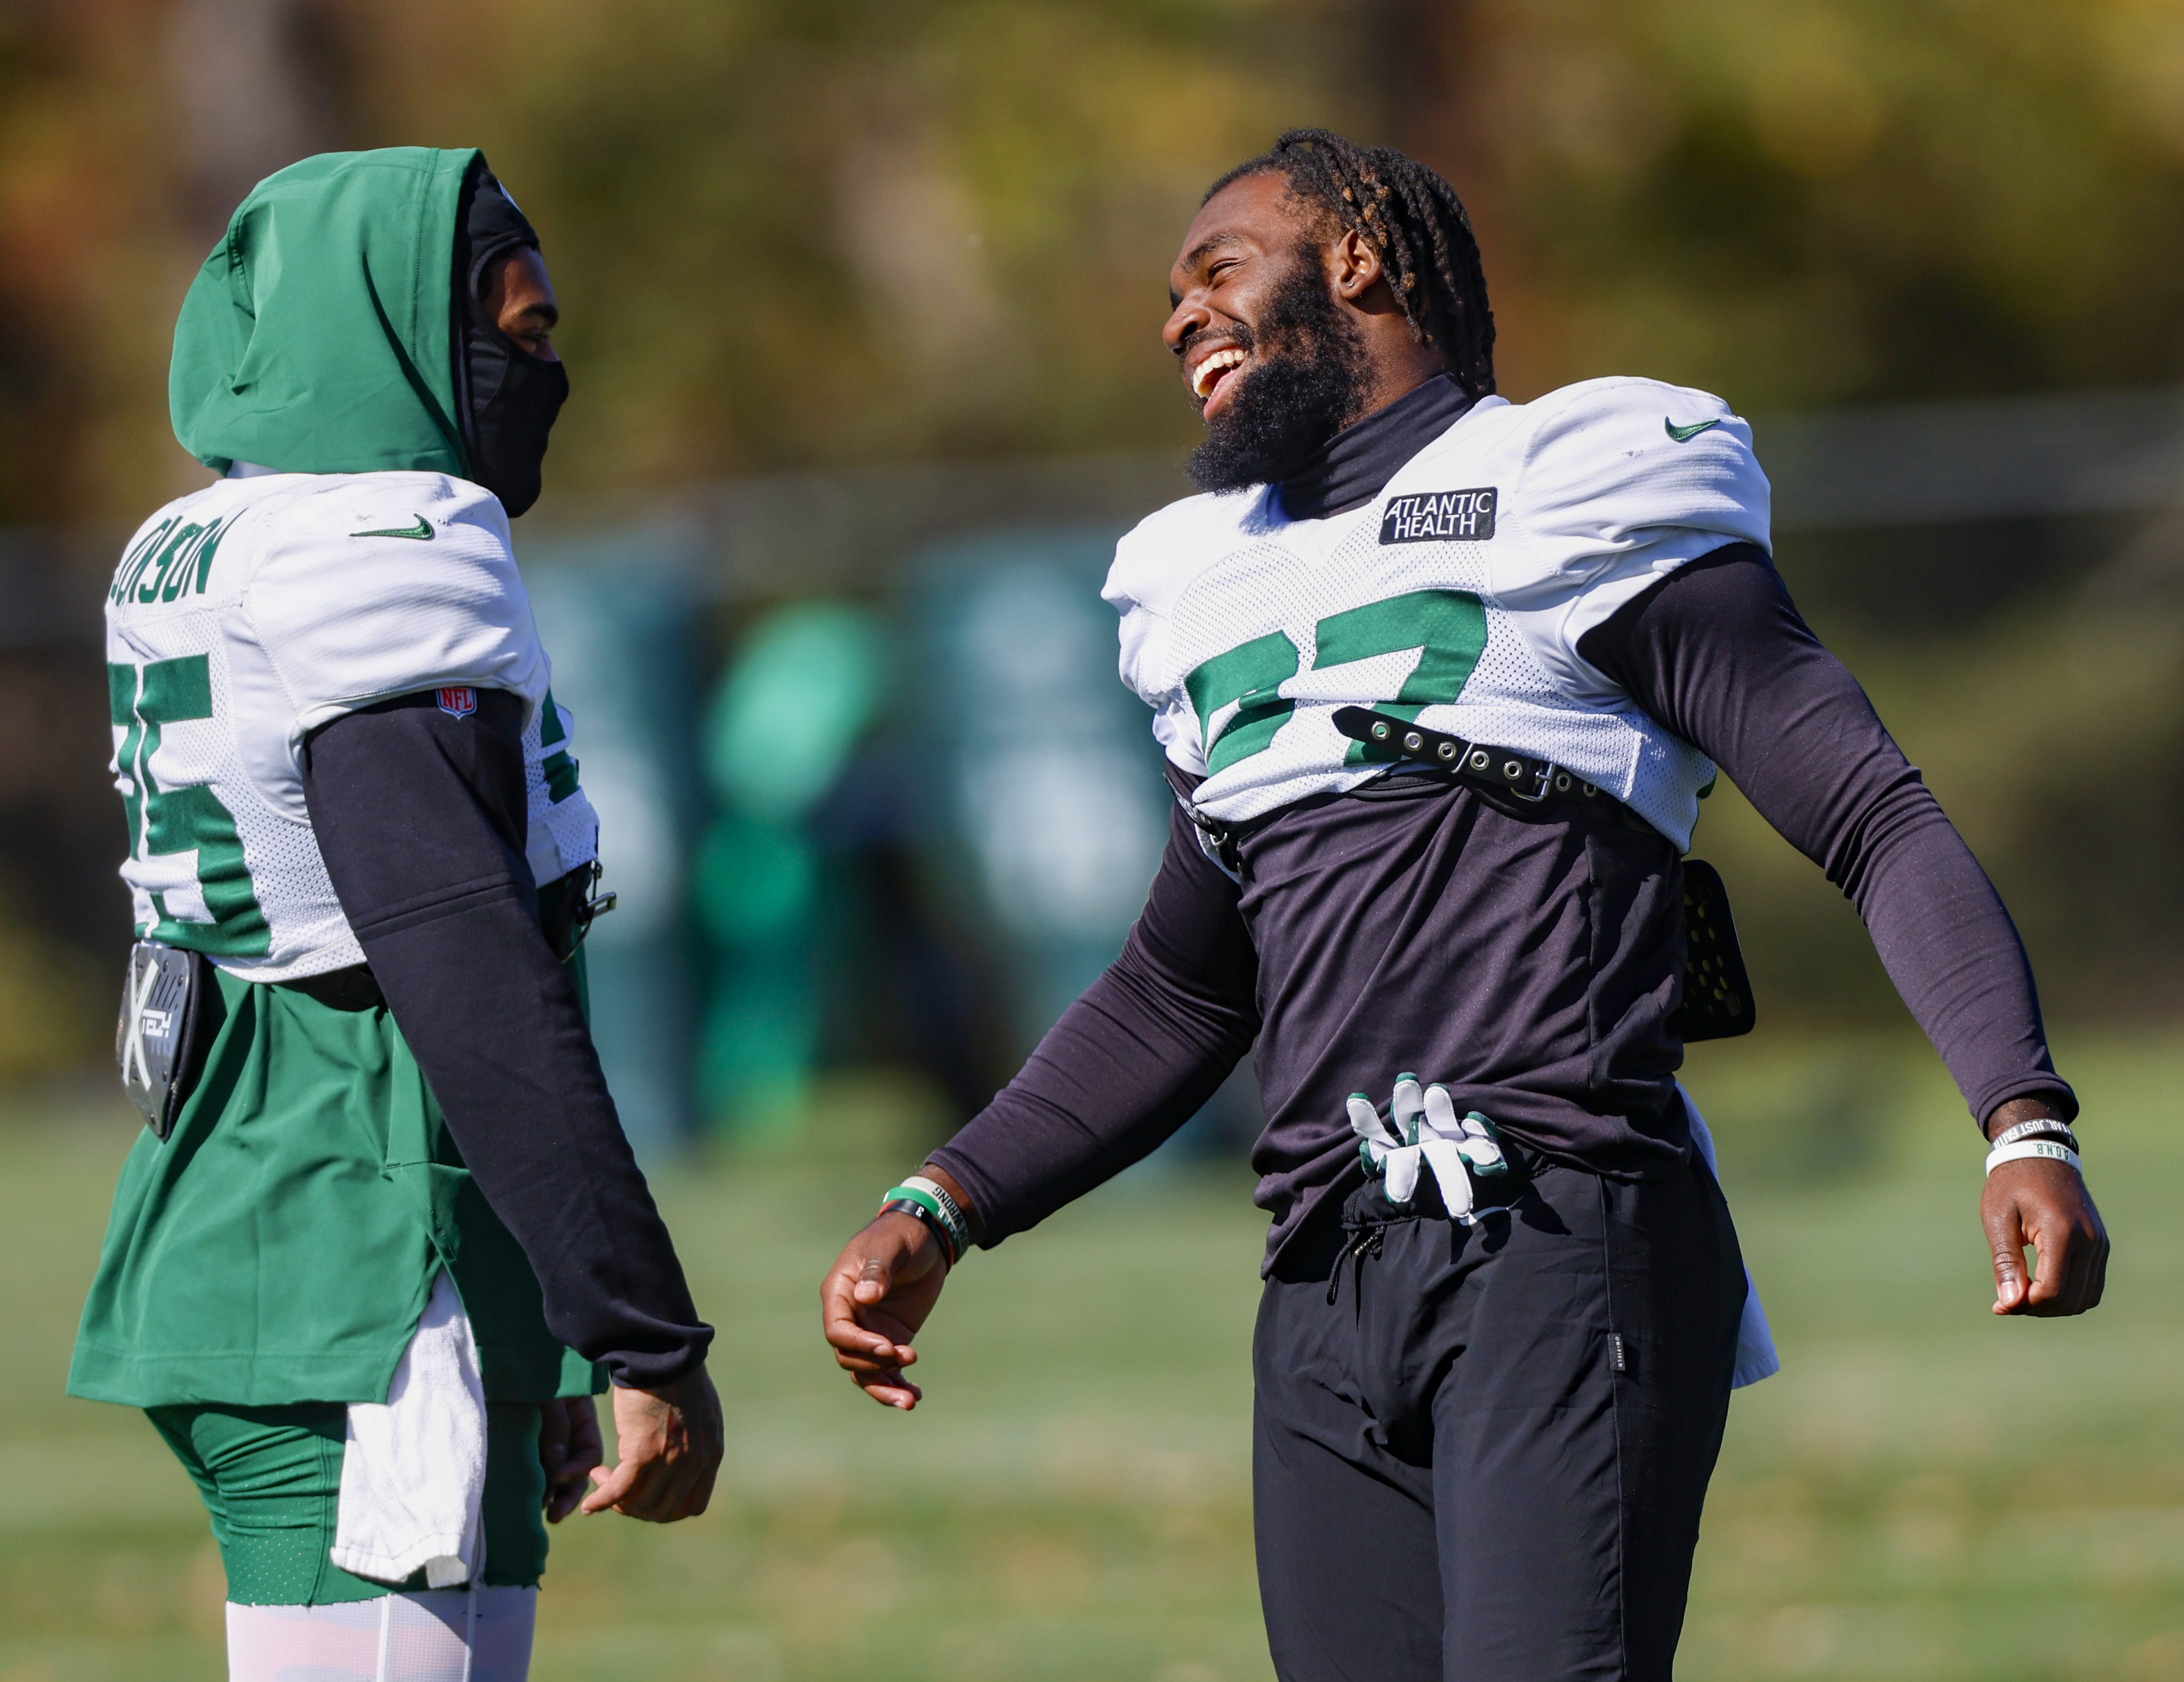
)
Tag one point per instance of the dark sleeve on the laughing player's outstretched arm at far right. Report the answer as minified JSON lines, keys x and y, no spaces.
{"x":1718,"y":654}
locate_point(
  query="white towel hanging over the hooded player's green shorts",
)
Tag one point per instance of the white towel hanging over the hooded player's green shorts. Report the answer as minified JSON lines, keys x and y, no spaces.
{"x":414,"y":1473}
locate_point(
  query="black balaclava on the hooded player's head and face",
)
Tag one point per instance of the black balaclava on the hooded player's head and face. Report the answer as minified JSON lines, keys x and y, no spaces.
{"x":510,"y":396}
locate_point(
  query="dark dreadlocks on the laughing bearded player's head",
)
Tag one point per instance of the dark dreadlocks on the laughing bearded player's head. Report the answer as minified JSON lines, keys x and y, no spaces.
{"x":1416,"y":224}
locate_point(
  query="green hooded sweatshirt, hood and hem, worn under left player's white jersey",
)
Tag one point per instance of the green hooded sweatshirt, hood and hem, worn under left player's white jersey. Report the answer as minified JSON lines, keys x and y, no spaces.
{"x":278,"y":1248}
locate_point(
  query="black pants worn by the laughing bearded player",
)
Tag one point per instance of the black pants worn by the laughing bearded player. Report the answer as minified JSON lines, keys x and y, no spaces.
{"x":1486,"y":1458}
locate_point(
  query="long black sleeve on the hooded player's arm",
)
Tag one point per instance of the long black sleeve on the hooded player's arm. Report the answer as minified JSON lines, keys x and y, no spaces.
{"x":420,"y":818}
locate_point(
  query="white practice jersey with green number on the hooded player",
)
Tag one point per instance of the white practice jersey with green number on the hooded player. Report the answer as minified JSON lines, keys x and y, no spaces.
{"x":257,"y":611}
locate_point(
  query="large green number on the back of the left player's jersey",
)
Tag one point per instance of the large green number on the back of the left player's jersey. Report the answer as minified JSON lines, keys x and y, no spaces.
{"x":182,"y":820}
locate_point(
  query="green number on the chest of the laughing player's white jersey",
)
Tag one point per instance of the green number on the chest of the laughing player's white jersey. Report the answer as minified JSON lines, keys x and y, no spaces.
{"x":1449,"y":630}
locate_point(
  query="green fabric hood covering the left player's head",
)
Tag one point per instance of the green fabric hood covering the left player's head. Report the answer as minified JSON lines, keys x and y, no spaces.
{"x":318,"y":337}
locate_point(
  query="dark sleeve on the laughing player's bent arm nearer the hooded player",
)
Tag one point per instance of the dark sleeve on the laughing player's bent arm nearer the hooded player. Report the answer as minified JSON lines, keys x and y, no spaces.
{"x":1130,"y":1063}
